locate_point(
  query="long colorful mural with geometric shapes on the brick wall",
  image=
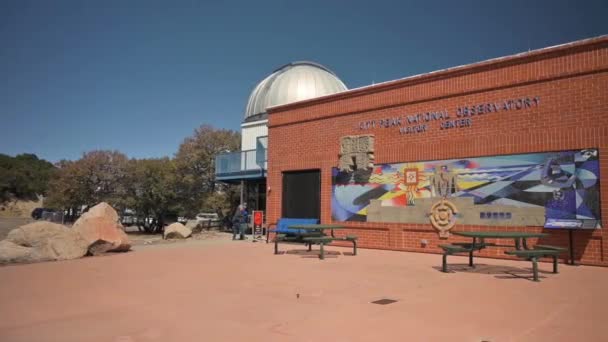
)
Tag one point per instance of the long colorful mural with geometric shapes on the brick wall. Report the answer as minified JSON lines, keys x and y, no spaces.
{"x":493,"y":190}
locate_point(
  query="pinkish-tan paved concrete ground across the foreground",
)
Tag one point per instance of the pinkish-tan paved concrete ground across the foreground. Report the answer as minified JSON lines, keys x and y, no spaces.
{"x":236,"y":291}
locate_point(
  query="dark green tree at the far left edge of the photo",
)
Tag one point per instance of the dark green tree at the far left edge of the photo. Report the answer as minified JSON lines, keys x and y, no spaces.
{"x":24,"y":176}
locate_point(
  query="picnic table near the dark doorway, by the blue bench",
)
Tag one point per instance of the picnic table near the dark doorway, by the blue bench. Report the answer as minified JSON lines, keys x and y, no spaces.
{"x":313,"y":234}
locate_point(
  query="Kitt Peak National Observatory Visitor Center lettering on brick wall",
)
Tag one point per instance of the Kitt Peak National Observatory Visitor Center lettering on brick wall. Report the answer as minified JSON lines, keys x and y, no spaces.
{"x":460,"y":117}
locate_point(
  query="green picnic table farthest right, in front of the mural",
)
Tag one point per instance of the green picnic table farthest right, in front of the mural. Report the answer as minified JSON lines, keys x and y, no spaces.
{"x":522,"y":249}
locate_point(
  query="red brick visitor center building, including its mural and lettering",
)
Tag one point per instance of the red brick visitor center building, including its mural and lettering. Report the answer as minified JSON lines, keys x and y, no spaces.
{"x":515,"y":143}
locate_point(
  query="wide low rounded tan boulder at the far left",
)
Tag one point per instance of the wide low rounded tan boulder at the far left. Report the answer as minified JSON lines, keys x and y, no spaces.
{"x":44,"y":241}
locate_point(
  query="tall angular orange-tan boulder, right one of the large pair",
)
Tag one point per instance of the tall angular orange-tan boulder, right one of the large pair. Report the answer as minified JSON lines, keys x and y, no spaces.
{"x":100,"y":228}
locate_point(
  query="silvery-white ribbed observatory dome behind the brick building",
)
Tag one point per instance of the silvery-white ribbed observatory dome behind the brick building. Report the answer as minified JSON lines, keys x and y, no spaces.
{"x":293,"y":82}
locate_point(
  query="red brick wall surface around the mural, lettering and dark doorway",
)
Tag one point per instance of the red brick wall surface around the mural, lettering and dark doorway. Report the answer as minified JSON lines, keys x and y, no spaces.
{"x":571,"y":81}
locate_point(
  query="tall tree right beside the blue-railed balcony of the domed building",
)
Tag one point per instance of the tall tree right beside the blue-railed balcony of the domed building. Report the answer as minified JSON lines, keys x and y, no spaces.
{"x":195,"y":162}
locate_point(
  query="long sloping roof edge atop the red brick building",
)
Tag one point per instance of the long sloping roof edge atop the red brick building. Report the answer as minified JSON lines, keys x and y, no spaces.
{"x":498,"y":62}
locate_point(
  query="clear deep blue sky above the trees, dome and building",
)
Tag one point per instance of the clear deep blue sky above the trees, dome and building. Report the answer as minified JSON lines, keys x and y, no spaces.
{"x":140,"y":76}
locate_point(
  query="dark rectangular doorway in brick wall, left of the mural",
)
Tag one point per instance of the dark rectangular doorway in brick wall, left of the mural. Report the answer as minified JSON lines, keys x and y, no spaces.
{"x":302,"y":194}
